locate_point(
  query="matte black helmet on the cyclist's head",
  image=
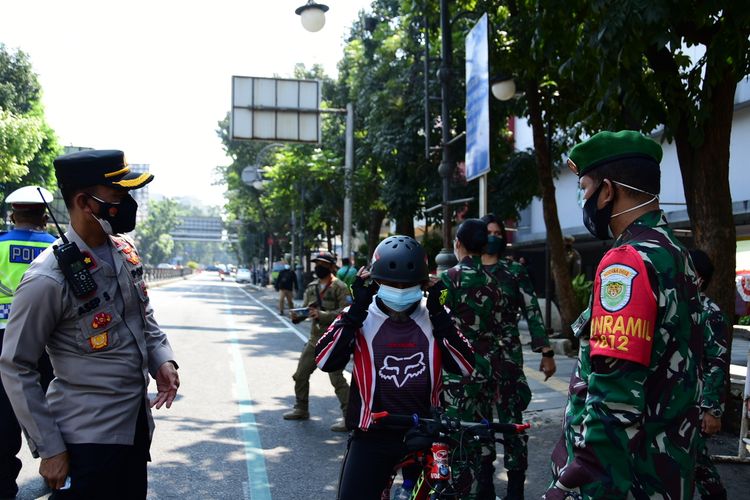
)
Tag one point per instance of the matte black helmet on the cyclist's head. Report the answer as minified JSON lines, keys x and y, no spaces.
{"x":399,"y":259}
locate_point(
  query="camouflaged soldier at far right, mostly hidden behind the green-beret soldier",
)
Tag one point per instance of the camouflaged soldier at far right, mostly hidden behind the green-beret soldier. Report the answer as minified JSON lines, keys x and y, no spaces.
{"x":707,"y":478}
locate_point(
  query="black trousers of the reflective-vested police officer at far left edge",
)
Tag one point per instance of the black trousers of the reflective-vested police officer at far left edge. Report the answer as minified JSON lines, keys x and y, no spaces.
{"x":10,"y":431}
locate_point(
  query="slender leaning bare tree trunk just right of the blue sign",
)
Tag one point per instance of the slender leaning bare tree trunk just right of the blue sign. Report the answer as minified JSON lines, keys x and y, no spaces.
{"x":563,"y":286}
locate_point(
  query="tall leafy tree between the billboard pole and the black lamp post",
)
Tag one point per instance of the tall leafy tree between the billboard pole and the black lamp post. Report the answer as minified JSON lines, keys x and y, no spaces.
{"x":381,"y":74}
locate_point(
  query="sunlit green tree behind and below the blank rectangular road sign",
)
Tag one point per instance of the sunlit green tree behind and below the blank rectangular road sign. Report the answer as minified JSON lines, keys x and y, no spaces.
{"x":298,"y":177}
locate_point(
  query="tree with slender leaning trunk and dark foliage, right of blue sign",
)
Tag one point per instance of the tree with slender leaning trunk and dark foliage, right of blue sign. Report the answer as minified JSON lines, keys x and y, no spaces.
{"x":532,"y":57}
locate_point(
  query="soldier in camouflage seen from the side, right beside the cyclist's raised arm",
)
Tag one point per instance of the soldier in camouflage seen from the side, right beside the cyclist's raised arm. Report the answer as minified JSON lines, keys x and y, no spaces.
{"x":476,"y":305}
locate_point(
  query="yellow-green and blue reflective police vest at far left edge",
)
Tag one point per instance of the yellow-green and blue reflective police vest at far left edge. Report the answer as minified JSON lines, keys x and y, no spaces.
{"x":17,"y":249}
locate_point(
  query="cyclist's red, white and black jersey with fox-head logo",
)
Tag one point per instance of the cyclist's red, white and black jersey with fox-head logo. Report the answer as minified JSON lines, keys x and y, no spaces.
{"x":397,"y":362}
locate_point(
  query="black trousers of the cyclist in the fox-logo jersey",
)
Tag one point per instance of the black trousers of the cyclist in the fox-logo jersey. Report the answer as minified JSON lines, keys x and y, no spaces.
{"x":369,"y":462}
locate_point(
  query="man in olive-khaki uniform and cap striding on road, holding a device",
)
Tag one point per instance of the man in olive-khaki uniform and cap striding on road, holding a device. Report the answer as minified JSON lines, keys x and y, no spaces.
{"x":325,"y":298}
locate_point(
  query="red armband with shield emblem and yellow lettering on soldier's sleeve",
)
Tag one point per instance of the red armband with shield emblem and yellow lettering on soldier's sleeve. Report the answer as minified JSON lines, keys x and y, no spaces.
{"x":624,"y":308}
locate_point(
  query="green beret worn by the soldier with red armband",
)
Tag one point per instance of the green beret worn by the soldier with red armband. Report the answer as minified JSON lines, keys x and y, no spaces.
{"x":606,"y":147}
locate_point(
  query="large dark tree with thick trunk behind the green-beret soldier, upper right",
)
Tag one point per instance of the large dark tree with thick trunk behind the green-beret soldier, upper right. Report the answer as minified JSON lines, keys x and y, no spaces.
{"x":673,"y":66}
